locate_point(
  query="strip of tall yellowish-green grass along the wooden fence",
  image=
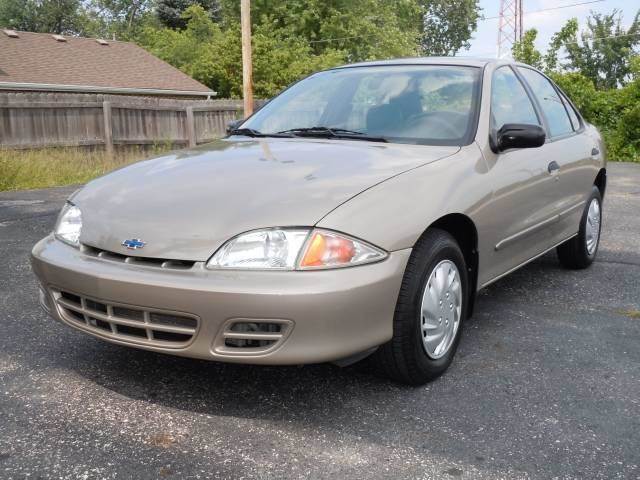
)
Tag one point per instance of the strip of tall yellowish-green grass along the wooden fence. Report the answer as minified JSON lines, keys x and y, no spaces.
{"x":52,"y":167}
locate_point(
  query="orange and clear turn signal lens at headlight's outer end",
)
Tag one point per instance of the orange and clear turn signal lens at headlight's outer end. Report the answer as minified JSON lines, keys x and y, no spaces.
{"x":330,"y":250}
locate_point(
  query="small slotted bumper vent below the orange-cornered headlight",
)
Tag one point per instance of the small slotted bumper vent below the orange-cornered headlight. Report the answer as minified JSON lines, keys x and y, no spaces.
{"x":252,"y":336}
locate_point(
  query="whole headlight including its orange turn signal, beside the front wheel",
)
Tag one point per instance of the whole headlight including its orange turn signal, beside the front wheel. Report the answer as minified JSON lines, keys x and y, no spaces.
{"x":291,"y":249}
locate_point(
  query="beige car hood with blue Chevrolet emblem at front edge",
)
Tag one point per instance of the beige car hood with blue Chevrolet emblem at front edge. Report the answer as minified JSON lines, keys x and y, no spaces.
{"x":185,"y":205}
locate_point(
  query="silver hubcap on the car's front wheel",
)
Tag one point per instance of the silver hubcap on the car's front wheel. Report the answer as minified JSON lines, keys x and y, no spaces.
{"x":441,"y":309}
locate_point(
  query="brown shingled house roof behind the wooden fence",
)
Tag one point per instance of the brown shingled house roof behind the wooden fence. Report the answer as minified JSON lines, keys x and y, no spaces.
{"x":41,"y":61}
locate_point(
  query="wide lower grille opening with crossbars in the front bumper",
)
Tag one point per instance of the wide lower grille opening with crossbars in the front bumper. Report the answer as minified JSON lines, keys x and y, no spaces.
{"x":127,"y":323}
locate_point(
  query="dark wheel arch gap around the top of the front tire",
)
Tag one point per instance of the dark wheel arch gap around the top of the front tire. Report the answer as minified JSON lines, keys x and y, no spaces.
{"x":465,"y":233}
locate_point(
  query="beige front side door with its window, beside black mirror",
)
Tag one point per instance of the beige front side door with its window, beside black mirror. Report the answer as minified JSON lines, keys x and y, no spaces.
{"x":522,"y":204}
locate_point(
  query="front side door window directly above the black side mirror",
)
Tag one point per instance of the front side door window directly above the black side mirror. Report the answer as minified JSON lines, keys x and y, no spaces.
{"x":509,"y":100}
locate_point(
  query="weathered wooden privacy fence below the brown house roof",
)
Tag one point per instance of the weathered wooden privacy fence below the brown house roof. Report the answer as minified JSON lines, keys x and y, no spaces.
{"x":36,"y":120}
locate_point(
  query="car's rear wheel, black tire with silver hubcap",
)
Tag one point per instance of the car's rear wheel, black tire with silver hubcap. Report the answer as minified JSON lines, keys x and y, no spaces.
{"x":580,"y":251}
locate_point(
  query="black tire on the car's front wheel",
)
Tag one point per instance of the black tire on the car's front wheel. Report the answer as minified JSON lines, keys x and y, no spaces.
{"x":405,"y":357}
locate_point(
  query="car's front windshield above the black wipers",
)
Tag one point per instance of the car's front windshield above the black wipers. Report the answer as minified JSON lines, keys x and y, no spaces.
{"x":425,"y":104}
